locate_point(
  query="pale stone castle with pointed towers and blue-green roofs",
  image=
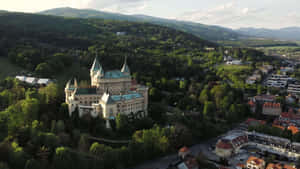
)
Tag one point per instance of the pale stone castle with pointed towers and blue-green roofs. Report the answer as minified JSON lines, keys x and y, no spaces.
{"x":111,"y":93}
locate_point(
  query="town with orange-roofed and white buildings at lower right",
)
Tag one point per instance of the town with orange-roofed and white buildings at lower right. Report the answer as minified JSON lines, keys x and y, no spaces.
{"x":268,"y":140}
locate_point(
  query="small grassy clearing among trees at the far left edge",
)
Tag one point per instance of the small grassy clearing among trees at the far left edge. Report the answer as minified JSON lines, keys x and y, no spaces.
{"x":8,"y":69}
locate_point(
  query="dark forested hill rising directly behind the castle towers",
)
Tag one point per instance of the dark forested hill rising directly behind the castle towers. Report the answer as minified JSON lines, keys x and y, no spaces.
{"x":48,"y":44}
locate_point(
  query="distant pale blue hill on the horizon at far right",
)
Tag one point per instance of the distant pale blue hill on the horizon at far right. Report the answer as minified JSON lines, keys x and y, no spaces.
{"x":289,"y":33}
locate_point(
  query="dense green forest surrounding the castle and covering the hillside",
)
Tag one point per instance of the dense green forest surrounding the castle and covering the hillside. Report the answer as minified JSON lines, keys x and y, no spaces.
{"x":188,"y":91}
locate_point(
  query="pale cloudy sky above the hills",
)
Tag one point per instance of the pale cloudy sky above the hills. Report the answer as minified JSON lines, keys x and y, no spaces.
{"x":228,"y":13}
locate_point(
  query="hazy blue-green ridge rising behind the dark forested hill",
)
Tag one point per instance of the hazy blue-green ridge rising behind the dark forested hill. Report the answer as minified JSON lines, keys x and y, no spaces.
{"x":212,"y":33}
